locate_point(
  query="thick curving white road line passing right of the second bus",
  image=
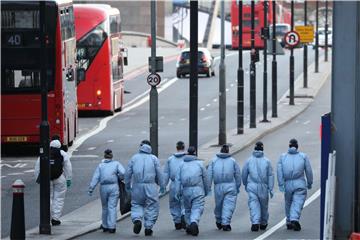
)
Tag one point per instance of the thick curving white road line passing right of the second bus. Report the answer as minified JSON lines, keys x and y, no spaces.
{"x":103,"y":123}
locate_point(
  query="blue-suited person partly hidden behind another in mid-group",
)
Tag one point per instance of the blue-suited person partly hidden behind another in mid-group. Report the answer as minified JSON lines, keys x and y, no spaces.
{"x":170,"y":170}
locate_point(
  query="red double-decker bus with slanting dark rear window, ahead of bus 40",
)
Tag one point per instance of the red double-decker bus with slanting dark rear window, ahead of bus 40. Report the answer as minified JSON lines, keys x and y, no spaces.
{"x":98,"y":36}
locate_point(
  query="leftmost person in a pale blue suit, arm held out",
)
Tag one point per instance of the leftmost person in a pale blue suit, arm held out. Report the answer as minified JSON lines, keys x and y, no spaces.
{"x":107,"y":173}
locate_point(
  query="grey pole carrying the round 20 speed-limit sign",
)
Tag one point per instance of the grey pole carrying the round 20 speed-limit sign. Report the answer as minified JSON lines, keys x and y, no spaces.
{"x":153,"y":92}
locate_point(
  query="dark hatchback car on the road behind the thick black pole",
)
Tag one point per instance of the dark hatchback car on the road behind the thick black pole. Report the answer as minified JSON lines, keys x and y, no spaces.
{"x":205,"y":63}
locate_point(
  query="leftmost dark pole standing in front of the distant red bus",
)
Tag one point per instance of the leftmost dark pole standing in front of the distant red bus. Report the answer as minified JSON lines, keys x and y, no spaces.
{"x":240,"y":76}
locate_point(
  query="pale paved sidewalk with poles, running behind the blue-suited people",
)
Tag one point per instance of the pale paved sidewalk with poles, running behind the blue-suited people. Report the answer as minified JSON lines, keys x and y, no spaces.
{"x":87,"y":218}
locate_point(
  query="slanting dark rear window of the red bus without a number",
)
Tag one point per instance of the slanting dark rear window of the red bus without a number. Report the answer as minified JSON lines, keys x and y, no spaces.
{"x":89,"y":45}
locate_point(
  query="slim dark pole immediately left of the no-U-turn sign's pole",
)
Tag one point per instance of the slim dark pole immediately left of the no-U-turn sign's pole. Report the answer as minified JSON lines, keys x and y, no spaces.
{"x":274,"y":64}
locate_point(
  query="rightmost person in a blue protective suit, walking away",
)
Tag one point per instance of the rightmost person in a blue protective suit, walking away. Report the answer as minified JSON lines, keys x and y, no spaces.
{"x":290,"y":173}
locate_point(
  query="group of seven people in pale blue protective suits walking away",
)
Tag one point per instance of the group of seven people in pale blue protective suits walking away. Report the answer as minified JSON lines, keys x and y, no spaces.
{"x":190,"y":182}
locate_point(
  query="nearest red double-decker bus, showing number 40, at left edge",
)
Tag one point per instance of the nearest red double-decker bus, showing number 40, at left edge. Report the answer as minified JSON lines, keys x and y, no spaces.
{"x":20,"y":71}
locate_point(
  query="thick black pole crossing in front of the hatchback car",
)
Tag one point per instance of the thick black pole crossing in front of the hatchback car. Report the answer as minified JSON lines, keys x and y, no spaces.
{"x":193,"y":108}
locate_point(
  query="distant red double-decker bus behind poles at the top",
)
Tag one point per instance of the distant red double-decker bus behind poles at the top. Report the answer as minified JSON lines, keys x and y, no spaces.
{"x":259,"y":23}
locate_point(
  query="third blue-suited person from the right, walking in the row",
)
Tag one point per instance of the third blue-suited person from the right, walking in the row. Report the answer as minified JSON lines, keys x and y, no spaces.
{"x":225,"y":172}
